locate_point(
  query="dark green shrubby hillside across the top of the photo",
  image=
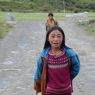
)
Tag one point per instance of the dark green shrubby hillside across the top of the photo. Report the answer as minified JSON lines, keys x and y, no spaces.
{"x":47,"y":5}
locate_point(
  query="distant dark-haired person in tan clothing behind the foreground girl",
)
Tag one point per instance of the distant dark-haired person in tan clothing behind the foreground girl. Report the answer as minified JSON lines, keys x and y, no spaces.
{"x":50,"y":22}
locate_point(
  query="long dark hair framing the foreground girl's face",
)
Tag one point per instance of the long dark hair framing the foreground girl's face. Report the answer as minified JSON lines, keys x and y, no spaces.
{"x":47,"y":44}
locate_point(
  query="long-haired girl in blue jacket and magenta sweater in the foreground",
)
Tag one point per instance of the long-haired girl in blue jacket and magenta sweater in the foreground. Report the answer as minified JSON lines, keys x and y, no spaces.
{"x":61,"y":65}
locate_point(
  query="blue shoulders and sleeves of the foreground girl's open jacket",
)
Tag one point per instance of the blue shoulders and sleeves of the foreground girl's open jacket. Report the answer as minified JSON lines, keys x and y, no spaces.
{"x":75,"y":62}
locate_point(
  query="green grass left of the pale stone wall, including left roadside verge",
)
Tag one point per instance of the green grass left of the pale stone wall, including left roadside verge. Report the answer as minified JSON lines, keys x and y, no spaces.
{"x":23,"y":17}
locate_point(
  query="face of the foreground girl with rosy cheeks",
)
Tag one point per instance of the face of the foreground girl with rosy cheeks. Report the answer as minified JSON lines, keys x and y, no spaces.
{"x":55,"y":39}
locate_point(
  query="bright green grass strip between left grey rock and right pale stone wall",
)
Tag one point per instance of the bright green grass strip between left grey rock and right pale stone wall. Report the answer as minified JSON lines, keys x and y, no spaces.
{"x":36,"y":16}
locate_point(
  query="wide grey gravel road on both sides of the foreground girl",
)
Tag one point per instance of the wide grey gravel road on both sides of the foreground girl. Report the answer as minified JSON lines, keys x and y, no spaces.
{"x":18,"y":53}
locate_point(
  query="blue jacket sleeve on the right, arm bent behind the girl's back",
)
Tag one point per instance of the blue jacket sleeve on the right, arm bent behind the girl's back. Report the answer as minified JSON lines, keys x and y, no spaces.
{"x":75,"y":66}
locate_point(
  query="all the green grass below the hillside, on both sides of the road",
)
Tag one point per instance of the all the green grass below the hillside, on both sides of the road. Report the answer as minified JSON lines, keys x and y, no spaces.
{"x":38,"y":17}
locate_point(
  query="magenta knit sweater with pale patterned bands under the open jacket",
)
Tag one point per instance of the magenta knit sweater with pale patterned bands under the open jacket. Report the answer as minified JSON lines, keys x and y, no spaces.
{"x":59,"y":81}
